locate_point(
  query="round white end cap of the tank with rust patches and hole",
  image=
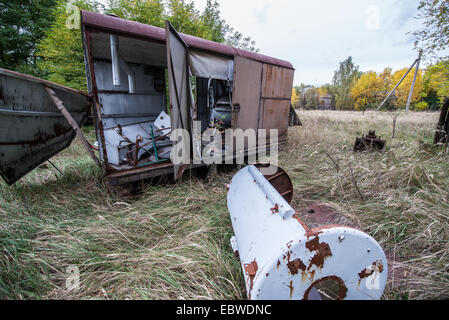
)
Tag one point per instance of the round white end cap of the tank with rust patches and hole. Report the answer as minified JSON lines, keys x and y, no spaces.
{"x":307,"y":266}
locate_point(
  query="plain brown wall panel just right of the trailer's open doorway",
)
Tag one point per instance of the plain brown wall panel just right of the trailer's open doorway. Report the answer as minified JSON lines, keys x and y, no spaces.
{"x":246,"y":93}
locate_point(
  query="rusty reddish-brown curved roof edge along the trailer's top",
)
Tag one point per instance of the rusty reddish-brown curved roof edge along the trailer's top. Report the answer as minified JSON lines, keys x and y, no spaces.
{"x":140,"y":30}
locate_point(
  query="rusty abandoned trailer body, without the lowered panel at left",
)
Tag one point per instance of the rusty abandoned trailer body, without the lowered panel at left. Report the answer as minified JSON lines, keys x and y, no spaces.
{"x":129,"y":65}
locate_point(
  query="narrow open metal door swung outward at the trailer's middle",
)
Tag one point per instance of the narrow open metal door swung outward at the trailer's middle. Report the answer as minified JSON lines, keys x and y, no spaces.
{"x":179,"y":93}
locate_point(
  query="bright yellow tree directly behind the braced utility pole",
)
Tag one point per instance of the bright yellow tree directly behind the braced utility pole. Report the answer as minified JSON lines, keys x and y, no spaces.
{"x":403,"y":90}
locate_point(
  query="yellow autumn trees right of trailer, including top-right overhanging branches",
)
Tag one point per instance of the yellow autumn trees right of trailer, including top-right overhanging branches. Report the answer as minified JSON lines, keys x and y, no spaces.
{"x":352,"y":89}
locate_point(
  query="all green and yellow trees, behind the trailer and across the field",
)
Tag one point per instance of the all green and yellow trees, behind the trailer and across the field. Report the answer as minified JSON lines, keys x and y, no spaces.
{"x":35,"y":39}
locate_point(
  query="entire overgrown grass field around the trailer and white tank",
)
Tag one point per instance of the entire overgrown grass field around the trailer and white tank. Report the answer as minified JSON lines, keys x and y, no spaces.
{"x":172,"y":241}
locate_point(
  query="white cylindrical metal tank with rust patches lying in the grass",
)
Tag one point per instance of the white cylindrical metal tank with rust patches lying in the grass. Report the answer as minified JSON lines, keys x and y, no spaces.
{"x":283,"y":259}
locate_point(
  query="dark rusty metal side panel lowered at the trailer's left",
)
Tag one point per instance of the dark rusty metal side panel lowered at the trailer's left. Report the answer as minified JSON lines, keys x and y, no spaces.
{"x":33,"y":129}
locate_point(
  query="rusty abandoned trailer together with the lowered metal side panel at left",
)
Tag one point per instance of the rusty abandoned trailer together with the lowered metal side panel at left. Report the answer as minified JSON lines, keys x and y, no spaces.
{"x":144,"y":82}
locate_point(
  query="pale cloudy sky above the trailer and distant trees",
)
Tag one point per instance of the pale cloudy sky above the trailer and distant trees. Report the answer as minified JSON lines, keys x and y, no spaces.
{"x":316,"y":35}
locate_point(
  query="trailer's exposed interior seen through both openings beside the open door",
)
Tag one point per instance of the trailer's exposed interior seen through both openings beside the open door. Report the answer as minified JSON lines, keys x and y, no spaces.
{"x":133,"y":124}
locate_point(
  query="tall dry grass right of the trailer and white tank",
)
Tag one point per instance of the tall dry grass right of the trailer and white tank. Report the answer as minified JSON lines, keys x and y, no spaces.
{"x":400,"y":196}
